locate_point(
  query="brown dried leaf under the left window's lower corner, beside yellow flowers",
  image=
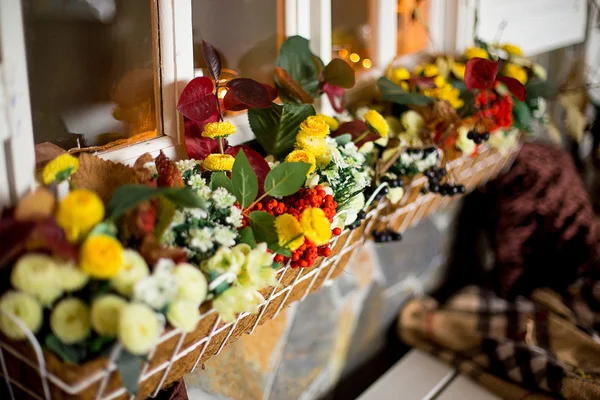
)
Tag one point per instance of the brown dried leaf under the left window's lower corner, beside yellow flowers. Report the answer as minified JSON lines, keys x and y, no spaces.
{"x":102,"y":176}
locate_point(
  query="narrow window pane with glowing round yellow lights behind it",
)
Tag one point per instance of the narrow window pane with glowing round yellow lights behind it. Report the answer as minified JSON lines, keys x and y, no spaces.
{"x":352,"y":33}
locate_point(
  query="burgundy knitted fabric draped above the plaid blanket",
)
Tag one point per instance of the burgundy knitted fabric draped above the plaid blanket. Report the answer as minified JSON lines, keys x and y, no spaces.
{"x":543,"y":226}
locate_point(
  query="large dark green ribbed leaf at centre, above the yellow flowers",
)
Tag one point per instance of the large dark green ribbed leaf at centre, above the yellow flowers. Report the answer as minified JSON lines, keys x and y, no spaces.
{"x":276,"y":127}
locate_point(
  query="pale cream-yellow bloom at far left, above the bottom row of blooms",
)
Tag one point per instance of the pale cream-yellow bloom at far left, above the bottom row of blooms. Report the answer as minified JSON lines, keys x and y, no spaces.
{"x":37,"y":275}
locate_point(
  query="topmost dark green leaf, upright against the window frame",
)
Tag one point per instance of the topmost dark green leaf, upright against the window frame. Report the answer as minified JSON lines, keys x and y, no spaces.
{"x":299,"y":62}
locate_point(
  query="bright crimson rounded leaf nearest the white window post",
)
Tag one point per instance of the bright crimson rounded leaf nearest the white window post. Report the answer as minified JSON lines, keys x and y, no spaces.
{"x":197,"y":101}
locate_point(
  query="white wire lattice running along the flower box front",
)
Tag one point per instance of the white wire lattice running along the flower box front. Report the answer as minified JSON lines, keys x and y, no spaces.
{"x":467,"y":170}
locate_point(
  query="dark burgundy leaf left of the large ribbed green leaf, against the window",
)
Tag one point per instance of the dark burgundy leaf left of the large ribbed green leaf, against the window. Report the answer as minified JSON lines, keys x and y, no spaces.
{"x":246,"y":93}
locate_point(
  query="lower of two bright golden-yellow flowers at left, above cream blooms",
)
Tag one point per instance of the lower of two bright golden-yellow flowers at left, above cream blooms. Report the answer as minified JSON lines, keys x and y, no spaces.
{"x":101,"y":256}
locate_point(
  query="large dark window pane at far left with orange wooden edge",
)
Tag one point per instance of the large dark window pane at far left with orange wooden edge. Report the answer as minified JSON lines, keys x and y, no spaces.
{"x":91,"y":71}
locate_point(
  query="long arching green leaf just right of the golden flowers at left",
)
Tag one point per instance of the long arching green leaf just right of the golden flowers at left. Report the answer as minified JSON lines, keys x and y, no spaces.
{"x":127,"y":197}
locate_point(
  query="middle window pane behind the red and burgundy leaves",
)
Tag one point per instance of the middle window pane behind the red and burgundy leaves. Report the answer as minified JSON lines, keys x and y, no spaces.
{"x":247,"y":34}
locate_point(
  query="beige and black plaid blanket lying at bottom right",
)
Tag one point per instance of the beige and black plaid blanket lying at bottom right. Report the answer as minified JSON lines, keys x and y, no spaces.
{"x":541,"y":347}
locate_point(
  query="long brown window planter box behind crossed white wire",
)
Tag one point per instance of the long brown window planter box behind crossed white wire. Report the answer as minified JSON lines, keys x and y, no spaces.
{"x":31,"y":373}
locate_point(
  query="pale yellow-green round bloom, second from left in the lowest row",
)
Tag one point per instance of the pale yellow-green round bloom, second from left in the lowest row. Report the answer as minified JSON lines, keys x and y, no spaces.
{"x":70,"y":321}
